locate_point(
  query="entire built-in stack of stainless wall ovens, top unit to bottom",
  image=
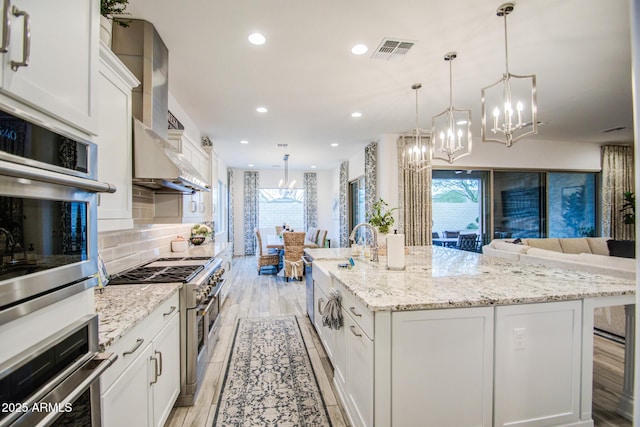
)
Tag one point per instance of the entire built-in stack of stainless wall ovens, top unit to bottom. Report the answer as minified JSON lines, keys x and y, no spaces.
{"x":48,"y":253}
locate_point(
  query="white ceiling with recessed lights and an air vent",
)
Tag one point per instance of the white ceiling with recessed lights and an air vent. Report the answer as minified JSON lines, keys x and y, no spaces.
{"x":307,"y":77}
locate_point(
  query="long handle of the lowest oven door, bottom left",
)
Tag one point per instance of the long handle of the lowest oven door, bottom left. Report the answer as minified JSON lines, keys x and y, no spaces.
{"x":72,"y":387}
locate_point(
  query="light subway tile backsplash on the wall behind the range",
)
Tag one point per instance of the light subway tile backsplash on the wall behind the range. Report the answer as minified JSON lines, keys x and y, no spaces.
{"x":124,"y":249}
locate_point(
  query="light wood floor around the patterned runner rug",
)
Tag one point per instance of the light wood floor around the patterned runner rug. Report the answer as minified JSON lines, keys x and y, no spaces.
{"x":268,"y":295}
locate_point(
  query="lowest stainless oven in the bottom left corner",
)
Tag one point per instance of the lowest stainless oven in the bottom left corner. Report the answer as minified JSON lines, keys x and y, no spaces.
{"x":55,"y":382}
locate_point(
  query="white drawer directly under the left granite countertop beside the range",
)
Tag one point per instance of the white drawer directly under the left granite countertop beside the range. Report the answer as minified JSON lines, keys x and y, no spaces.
{"x":135,"y":340}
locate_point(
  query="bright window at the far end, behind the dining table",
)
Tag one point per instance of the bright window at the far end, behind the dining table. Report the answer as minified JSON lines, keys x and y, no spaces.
{"x":279,"y":207}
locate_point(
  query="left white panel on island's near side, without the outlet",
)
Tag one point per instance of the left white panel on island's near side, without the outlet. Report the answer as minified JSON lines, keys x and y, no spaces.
{"x":441,"y":356}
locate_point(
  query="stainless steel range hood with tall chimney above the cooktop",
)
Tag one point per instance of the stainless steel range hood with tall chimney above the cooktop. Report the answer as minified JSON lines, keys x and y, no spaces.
{"x":156,"y":163}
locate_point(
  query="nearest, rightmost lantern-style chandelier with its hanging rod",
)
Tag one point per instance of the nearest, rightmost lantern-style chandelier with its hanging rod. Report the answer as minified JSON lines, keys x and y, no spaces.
{"x":506,"y":124}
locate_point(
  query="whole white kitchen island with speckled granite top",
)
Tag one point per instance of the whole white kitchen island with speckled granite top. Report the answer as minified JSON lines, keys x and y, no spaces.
{"x":459,"y":338}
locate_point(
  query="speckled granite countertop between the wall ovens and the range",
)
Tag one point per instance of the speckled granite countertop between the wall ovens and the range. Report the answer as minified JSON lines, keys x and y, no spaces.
{"x":121,"y":307}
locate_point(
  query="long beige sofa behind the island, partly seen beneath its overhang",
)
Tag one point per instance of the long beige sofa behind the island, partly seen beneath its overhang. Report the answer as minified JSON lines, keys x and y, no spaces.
{"x":590,"y":254}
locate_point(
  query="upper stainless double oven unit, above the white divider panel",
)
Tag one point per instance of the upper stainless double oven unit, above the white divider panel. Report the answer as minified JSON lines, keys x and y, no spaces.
{"x":48,"y":216}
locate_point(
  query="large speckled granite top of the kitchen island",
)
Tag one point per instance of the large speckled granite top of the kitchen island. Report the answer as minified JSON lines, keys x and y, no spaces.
{"x":437,"y":277}
